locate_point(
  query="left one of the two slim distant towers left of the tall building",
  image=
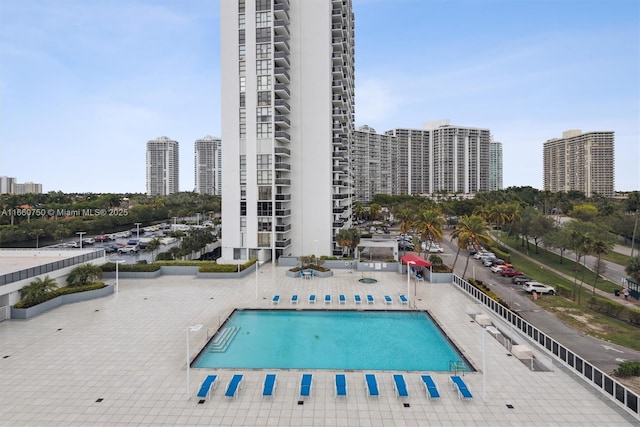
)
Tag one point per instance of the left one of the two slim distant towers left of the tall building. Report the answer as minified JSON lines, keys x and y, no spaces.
{"x":163,"y":170}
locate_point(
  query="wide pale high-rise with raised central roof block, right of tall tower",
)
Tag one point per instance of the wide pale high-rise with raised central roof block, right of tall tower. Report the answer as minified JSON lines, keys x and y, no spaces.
{"x":441,"y":158}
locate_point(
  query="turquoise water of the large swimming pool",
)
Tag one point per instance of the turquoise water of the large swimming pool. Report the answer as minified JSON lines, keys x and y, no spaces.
{"x":337,"y":340}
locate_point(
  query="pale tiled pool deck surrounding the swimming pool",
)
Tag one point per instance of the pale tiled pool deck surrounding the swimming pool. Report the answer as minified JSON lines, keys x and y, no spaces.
{"x":129,"y":350}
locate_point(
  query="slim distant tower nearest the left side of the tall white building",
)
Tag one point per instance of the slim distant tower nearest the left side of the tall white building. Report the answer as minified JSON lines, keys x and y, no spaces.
{"x":208,"y":165}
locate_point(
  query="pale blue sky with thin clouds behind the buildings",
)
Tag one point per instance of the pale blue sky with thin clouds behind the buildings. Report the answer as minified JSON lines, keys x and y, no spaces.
{"x":84,"y":84}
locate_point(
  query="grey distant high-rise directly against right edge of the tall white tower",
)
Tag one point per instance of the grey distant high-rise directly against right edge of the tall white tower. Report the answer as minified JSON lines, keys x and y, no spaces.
{"x":374,"y":164}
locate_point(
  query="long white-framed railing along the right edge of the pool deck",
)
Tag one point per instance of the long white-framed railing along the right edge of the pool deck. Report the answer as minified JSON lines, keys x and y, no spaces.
{"x":617,"y":392}
